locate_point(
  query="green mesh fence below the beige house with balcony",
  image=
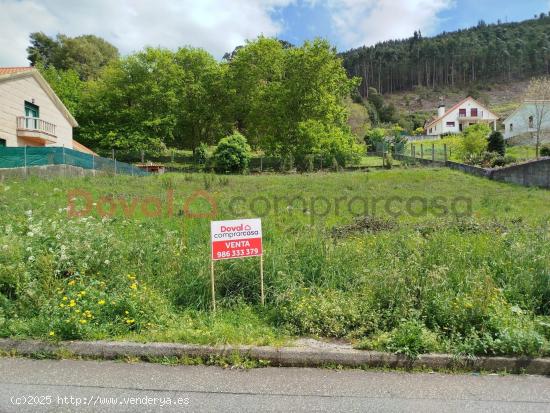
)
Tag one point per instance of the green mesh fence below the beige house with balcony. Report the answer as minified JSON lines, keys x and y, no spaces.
{"x":37,"y":156}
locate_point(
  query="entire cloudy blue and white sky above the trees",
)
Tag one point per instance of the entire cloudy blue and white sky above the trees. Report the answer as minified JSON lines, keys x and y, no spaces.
{"x":220,"y":25}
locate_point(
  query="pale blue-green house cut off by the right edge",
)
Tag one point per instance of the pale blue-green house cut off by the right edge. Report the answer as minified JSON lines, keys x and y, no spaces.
{"x":524,"y":120}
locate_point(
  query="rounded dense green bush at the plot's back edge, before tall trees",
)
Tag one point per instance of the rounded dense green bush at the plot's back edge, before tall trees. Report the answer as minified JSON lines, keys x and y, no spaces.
{"x":232,"y":155}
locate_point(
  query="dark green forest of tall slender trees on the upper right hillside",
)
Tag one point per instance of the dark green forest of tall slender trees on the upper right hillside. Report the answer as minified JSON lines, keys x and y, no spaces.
{"x":485,"y":53}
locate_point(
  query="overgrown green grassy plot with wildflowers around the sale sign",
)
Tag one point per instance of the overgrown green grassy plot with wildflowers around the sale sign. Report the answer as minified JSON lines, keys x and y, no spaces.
{"x":409,"y":283}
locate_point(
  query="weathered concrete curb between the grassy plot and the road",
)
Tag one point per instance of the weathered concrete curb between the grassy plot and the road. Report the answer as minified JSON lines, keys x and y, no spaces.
{"x":282,"y":356}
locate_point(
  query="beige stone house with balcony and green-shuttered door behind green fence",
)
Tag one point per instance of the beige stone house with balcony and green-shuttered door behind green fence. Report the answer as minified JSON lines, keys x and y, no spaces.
{"x":31,"y":114}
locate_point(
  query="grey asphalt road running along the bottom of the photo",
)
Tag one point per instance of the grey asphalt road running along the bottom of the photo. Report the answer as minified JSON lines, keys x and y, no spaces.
{"x":104,"y":386}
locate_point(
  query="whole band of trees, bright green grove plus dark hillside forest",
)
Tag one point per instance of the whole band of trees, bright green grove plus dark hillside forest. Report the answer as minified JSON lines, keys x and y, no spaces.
{"x":287,"y":101}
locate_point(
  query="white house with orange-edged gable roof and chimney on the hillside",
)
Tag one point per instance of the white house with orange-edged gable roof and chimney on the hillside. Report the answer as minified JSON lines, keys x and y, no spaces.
{"x":465,"y":113}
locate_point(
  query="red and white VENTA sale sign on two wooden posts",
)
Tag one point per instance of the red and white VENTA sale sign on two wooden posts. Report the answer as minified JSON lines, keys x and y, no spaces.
{"x":239,"y":238}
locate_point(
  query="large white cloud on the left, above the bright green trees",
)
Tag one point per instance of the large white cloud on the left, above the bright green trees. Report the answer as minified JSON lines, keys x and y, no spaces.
{"x":215,"y":25}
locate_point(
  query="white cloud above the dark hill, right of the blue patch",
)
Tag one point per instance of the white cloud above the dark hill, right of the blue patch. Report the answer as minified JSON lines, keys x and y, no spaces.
{"x":365,"y":22}
